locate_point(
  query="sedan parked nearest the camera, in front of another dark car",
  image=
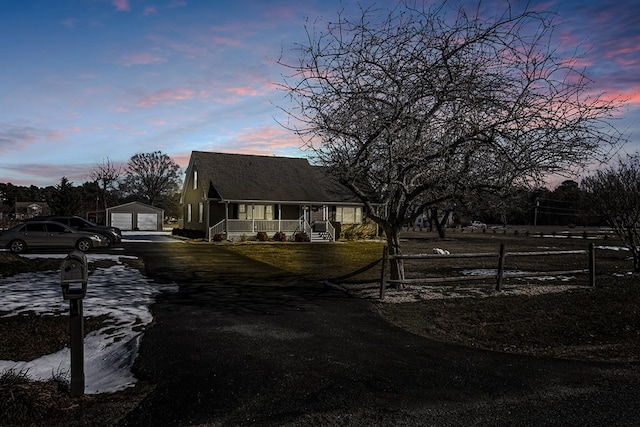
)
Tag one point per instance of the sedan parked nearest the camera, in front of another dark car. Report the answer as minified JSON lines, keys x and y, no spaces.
{"x":48,"y":234}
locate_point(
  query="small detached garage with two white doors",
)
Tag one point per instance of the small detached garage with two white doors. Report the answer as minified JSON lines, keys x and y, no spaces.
{"x":135,"y":216}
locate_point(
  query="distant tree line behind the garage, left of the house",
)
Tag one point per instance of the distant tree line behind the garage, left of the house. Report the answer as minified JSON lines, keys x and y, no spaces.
{"x":151,"y":178}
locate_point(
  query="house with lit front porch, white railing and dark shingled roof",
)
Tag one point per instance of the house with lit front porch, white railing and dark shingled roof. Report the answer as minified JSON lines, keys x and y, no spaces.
{"x":232,"y":195}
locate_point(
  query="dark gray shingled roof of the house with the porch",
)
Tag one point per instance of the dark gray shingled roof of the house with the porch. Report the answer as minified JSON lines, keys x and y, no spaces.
{"x":275,"y":179}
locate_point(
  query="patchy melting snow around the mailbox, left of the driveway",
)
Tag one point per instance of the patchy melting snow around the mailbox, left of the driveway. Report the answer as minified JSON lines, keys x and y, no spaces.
{"x":120,"y":292}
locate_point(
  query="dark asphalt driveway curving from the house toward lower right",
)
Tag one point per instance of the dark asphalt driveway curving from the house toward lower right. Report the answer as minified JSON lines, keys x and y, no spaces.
{"x":246,"y":344}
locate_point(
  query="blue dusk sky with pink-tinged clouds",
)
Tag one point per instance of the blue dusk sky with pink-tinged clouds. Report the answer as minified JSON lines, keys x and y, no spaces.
{"x":86,"y":80}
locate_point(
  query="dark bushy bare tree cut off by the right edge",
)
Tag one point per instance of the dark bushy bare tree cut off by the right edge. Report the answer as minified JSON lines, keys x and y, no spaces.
{"x":614,"y":193}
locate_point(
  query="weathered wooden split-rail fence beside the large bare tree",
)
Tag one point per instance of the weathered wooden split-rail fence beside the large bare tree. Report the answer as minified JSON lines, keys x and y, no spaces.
{"x":500,"y":275}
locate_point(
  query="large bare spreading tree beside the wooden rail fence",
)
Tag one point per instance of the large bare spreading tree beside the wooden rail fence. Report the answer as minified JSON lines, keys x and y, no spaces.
{"x":416,"y":106}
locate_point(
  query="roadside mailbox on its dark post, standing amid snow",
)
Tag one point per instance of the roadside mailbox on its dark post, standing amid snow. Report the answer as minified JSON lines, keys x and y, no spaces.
{"x":73,"y":280}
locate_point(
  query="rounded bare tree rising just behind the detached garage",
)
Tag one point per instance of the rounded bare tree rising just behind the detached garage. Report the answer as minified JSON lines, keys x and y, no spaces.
{"x":152,"y":177}
